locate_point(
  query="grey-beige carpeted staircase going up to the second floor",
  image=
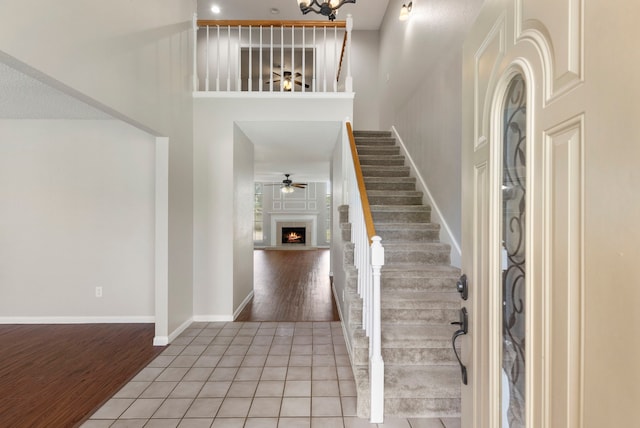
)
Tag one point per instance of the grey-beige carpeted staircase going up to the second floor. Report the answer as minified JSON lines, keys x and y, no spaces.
{"x":419,"y":298}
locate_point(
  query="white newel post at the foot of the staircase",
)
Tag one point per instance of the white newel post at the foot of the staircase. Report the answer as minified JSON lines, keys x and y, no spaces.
{"x":376,"y":364}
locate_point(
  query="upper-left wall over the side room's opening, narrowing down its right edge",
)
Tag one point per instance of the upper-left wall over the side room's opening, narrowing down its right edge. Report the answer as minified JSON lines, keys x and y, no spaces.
{"x":133,"y":59}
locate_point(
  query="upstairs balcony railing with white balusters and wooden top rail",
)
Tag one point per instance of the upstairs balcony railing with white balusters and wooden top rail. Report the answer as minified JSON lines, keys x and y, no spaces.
{"x":272,"y":56}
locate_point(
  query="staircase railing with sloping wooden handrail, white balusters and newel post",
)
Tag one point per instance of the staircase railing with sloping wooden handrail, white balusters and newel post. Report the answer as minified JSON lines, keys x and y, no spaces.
{"x":368,"y":258}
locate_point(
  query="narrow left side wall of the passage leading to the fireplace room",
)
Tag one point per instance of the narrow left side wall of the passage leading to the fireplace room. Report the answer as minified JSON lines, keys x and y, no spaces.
{"x":243,"y":197}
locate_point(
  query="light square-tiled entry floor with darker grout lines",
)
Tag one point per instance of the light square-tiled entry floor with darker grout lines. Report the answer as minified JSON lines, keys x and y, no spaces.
{"x":247,"y":375}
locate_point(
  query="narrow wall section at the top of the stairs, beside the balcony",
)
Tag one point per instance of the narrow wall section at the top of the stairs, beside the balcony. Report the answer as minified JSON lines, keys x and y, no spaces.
{"x":365,"y":46}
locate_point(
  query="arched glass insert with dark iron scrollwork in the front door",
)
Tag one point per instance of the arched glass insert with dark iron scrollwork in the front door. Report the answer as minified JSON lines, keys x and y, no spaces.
{"x":514,"y":254}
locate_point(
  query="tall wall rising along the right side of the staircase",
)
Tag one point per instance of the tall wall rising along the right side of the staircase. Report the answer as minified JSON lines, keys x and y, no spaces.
{"x":419,"y":78}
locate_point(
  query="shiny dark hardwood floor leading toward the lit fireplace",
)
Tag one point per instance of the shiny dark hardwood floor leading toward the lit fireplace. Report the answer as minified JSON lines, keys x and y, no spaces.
{"x":291,"y":285}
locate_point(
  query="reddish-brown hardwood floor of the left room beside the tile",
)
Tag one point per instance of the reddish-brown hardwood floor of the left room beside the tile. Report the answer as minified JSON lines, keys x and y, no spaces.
{"x":56,"y":375}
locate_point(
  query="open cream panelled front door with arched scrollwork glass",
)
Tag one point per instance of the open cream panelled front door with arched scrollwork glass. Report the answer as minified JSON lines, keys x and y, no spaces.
{"x":522,"y":181}
